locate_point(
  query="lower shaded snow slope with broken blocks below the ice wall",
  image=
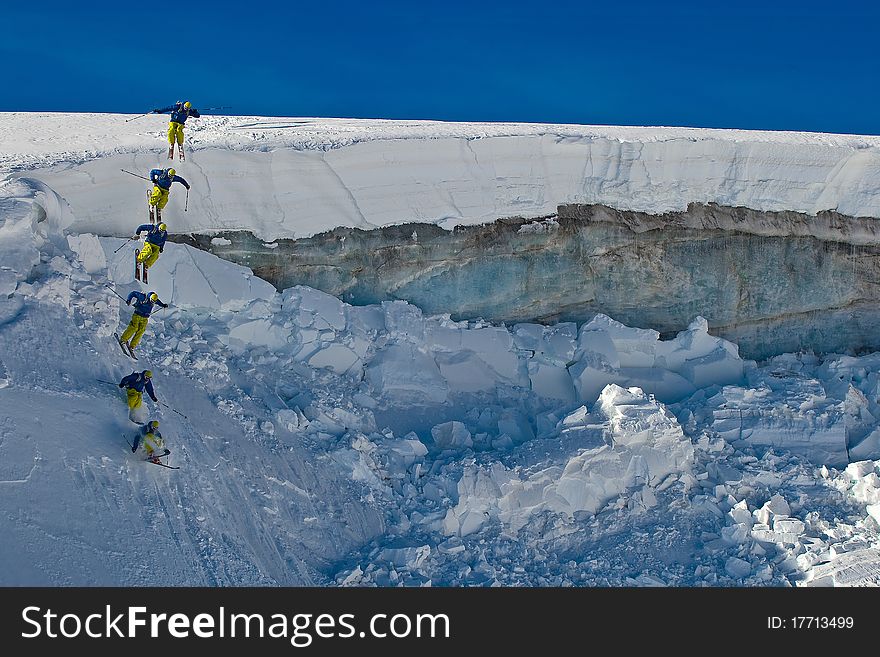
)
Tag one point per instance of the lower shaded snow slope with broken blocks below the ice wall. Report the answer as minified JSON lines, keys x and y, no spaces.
{"x":322,"y":443}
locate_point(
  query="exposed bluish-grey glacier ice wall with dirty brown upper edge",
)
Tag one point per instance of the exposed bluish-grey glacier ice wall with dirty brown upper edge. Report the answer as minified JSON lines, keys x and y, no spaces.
{"x":771,"y":282}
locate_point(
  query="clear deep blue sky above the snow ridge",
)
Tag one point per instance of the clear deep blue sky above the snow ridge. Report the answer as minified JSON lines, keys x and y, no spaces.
{"x":774,"y":64}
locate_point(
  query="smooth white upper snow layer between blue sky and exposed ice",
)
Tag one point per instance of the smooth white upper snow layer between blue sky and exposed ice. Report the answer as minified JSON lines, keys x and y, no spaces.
{"x":286,"y":177}
